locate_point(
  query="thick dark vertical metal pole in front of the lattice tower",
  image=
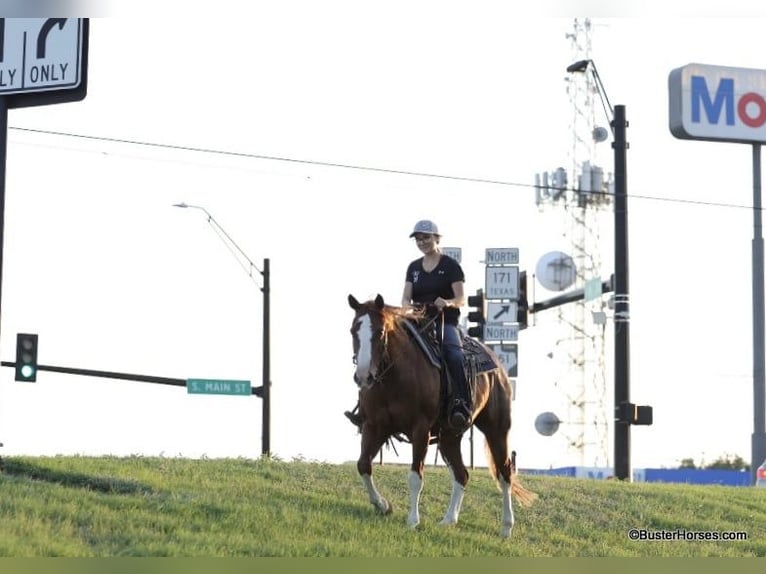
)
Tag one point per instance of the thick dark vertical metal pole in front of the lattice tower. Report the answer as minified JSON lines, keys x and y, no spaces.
{"x":622,"y":468}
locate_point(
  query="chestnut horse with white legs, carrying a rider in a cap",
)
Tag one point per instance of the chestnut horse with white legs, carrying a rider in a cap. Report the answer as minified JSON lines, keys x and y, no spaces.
{"x":400,"y":394}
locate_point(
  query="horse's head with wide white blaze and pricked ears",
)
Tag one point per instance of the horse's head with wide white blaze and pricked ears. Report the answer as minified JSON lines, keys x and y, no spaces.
{"x":369,"y":335}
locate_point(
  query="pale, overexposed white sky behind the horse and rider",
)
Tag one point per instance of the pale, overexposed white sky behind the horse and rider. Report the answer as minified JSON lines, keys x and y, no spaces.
{"x":317,"y":135}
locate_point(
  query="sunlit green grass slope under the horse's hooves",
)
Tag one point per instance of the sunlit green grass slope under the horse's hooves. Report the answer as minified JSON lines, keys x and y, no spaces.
{"x":136,"y":506}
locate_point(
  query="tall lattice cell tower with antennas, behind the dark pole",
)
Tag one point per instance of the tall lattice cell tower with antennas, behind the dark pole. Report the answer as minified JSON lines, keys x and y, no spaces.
{"x":583,"y":204}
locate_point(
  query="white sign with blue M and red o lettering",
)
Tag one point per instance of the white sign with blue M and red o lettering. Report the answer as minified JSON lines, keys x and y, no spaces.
{"x":718,"y":103}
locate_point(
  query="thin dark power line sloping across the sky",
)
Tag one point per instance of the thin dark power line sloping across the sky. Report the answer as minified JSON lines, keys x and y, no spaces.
{"x":229,"y":153}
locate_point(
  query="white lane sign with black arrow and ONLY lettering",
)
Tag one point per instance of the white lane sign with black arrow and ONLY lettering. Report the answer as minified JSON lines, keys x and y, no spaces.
{"x":40,"y":54}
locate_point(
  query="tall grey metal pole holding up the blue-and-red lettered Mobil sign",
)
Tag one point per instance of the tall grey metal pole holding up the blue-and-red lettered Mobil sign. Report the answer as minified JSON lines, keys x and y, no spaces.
{"x":758,"y":439}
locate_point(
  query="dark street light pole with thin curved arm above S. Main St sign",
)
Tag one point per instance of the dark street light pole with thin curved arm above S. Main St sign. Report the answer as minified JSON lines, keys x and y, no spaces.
{"x":265,"y":390}
